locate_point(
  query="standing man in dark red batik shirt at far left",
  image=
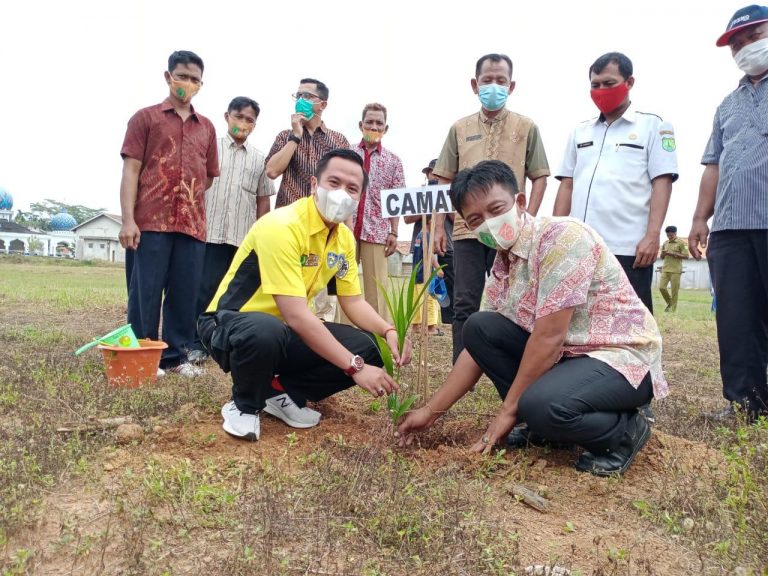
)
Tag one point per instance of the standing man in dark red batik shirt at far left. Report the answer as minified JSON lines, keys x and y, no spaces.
{"x":169,"y":161}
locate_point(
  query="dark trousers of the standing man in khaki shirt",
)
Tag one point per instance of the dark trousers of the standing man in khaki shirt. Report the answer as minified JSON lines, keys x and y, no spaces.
{"x":472,"y":262}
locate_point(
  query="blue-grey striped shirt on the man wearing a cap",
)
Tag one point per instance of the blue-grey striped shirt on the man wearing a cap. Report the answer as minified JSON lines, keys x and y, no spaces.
{"x":739,"y":144}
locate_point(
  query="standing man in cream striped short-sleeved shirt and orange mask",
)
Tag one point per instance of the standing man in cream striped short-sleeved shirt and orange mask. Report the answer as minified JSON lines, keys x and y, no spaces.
{"x":237,"y":198}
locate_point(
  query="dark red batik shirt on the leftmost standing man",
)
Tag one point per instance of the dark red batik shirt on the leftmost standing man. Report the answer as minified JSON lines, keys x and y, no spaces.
{"x":177,"y":157}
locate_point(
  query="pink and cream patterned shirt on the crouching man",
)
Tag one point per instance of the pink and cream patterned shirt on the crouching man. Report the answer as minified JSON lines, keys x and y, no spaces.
{"x":559,"y":263}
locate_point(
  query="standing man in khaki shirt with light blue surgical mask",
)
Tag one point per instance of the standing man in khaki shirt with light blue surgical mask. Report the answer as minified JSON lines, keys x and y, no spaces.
{"x":492,"y":133}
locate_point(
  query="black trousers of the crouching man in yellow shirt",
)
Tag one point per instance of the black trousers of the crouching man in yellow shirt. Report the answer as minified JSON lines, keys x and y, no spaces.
{"x":255,"y":347}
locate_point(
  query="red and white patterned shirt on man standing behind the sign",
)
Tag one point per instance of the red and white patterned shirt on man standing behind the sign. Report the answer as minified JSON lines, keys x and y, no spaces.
{"x":384,"y":173}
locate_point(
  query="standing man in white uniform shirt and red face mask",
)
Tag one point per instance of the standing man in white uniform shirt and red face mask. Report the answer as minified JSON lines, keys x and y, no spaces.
{"x":617,"y":173}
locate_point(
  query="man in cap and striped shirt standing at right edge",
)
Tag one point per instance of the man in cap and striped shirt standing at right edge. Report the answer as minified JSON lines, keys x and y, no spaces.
{"x":734,"y":188}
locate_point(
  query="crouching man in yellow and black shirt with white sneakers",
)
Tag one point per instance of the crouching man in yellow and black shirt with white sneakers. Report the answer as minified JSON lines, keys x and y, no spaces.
{"x":259,"y":325}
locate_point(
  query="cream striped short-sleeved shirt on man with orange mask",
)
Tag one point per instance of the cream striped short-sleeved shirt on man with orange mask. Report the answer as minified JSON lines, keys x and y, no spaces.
{"x":230,"y":203}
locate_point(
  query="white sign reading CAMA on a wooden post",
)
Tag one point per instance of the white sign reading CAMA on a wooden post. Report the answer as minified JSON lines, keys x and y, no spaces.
{"x":425,"y":200}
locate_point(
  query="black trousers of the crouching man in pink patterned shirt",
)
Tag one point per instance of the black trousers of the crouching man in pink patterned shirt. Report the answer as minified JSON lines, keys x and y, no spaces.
{"x":581,"y":399}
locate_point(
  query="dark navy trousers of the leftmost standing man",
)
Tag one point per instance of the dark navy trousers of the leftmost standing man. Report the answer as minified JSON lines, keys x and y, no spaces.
{"x":164,"y":272}
